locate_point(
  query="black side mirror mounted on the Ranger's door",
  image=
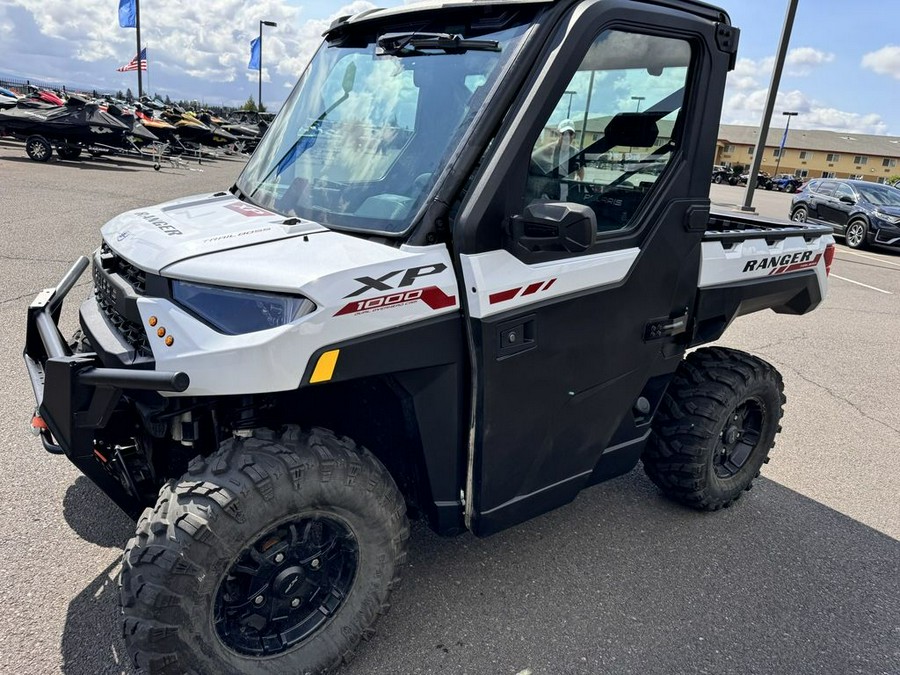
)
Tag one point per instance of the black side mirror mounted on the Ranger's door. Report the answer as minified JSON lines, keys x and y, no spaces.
{"x":554,"y":226}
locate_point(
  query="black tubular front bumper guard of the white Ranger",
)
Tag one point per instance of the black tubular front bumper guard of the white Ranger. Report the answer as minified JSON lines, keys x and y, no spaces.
{"x":74,"y":393}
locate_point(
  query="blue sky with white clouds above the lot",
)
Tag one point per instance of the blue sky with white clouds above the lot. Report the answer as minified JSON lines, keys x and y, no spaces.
{"x":842,"y":72}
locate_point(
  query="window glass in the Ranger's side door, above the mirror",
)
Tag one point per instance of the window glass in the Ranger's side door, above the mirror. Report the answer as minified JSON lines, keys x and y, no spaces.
{"x":614,"y":130}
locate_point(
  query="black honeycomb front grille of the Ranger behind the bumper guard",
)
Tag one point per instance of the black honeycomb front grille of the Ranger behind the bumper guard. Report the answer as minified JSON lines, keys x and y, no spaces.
{"x":105,"y":265}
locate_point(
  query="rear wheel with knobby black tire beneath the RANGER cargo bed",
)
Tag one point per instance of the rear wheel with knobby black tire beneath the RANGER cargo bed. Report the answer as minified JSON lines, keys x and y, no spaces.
{"x":715,"y":427}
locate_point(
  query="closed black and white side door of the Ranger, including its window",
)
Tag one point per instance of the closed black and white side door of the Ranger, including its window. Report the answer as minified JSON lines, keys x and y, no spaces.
{"x":580,"y":264}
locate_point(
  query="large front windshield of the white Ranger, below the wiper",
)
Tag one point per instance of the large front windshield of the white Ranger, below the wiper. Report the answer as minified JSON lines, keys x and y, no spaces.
{"x":362,"y":138}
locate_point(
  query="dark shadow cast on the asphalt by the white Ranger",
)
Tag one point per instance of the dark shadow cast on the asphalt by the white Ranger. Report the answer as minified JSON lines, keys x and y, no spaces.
{"x":621,"y":581}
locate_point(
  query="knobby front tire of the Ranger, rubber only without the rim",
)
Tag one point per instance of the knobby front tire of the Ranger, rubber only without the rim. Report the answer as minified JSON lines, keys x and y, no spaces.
{"x":201,"y":524}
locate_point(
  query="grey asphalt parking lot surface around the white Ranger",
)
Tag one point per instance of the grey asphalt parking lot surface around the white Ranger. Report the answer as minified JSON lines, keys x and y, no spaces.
{"x":802,"y":576}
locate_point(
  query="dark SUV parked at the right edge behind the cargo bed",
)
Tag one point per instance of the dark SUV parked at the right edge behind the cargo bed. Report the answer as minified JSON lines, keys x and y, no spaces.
{"x":863,"y":213}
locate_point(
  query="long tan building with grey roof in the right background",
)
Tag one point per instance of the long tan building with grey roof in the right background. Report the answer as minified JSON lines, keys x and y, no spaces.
{"x":813,"y":154}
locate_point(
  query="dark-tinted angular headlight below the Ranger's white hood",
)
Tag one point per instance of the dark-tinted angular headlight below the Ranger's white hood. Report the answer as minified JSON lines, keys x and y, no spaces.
{"x":235,"y":311}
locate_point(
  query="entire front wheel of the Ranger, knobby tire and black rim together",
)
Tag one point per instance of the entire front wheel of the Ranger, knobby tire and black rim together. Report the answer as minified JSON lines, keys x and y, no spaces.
{"x":191,"y":552}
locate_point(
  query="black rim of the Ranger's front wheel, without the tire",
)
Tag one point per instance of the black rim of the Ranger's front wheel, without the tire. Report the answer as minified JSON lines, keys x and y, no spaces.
{"x":286,"y":586}
